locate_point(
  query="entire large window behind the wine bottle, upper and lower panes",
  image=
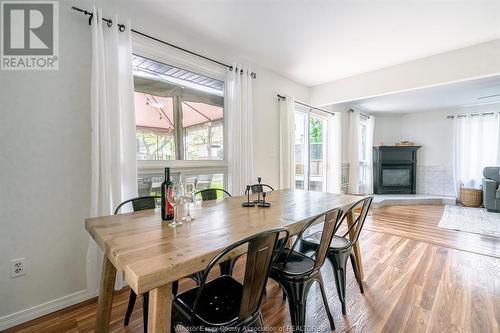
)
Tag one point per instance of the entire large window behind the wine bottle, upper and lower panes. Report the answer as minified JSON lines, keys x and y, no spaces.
{"x":179,"y":123}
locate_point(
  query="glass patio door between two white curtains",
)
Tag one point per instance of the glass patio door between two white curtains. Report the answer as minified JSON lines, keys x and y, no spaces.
{"x":310,"y":150}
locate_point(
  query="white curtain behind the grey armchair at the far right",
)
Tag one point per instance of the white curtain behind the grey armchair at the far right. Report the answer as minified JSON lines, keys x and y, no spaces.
{"x":476,"y":145}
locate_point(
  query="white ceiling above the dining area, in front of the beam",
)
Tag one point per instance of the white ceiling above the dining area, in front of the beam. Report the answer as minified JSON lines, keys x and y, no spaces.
{"x":314,"y":42}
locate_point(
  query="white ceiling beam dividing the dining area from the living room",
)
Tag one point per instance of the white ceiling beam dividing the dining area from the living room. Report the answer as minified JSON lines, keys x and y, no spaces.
{"x":466,"y":63}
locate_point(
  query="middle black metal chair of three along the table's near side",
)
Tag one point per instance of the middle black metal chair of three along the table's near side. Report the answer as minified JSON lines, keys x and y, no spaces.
{"x":295,"y":272}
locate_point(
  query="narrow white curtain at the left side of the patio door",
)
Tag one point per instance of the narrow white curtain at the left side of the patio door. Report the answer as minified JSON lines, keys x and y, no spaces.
{"x":287,"y":142}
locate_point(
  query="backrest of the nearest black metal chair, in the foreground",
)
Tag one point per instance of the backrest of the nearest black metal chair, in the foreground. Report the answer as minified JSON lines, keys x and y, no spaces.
{"x":260,"y":255}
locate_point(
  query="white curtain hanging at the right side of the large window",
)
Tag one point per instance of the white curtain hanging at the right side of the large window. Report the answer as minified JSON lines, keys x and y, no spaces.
{"x":240,"y":129}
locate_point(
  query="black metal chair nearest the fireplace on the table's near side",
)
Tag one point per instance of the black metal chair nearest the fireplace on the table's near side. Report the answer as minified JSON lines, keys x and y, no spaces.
{"x":341,"y":248}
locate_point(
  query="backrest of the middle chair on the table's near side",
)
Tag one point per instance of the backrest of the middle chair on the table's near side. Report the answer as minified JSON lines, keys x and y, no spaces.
{"x":330,"y":222}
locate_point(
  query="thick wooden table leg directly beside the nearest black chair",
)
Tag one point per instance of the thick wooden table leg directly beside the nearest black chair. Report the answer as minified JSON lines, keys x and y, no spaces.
{"x":160,"y":309}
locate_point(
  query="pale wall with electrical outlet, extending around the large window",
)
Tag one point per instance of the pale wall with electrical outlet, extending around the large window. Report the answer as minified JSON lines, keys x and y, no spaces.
{"x":45,"y":153}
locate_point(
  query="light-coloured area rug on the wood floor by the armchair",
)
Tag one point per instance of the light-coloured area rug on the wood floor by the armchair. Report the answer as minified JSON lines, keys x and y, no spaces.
{"x":475,"y":220}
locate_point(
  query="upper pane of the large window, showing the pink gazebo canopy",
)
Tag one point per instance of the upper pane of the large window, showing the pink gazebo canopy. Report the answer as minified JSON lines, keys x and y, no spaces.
{"x":179,"y":113}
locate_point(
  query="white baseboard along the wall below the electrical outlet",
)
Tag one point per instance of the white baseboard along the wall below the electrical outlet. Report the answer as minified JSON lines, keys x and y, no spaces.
{"x":43,"y":309}
